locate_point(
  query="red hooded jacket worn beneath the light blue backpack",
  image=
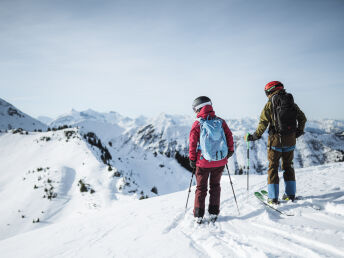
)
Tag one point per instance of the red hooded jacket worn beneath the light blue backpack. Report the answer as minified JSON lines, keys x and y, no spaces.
{"x":195,"y":154}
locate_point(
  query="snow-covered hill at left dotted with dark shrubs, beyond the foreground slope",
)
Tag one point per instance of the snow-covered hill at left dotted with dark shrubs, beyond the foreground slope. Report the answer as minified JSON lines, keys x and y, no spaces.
{"x":40,"y":177}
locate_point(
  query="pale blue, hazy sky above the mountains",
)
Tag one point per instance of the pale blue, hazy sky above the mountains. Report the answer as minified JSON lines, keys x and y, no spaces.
{"x":146,"y":57}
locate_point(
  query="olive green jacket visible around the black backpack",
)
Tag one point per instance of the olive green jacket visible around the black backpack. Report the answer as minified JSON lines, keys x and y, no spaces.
{"x":266,"y":118}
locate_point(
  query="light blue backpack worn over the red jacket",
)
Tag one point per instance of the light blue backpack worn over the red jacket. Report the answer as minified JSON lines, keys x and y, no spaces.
{"x":212,"y":142}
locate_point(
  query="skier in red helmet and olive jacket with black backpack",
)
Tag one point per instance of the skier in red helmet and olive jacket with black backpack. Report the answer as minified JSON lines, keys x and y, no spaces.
{"x":286,"y":122}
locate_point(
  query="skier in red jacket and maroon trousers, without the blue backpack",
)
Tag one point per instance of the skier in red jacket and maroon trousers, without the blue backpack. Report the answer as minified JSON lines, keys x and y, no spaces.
{"x":203,"y":108}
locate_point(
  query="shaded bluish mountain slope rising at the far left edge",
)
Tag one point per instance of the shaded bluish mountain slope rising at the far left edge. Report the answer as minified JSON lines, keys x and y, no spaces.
{"x":11,"y":118}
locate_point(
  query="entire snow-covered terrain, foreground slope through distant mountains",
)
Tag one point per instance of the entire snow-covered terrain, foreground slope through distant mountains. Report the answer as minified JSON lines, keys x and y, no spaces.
{"x":60,"y":198}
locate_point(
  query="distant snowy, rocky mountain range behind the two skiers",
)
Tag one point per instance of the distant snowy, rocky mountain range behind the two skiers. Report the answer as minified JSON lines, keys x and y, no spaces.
{"x":168,"y":135}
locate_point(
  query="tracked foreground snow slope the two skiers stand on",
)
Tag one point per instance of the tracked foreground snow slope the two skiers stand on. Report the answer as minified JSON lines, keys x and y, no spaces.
{"x":158,"y":227}
